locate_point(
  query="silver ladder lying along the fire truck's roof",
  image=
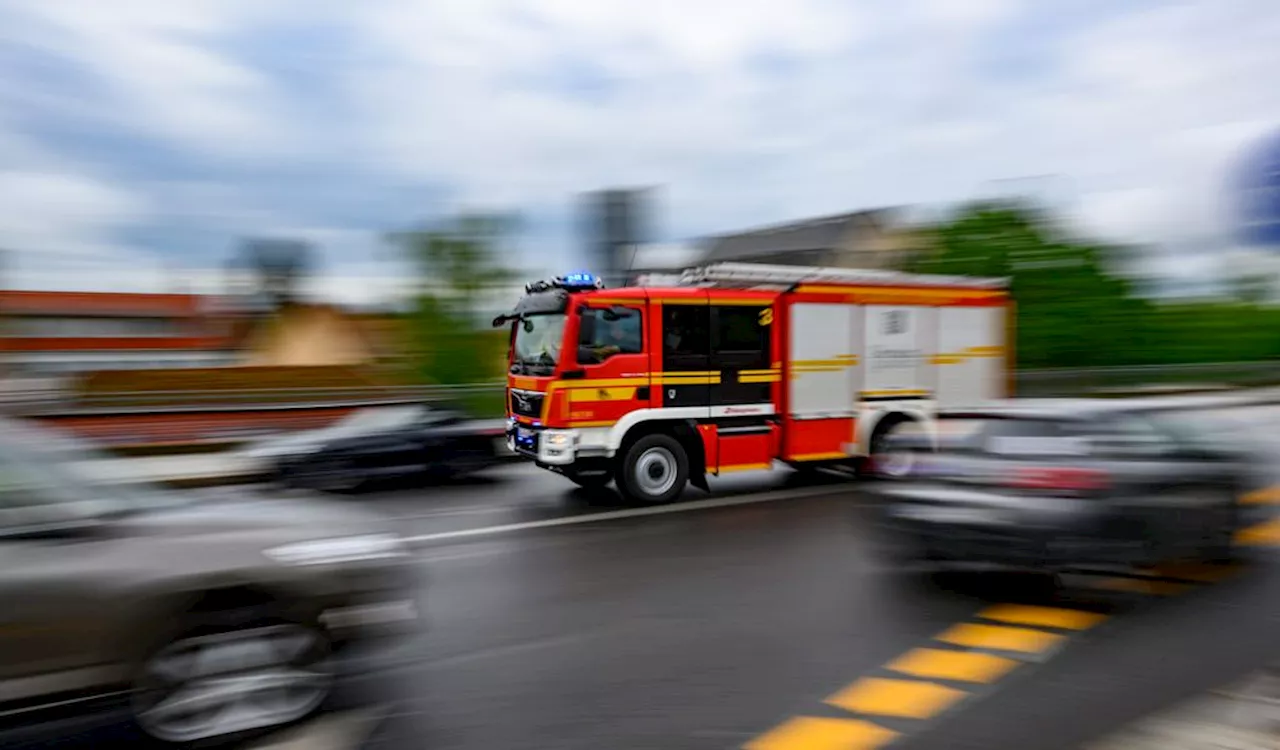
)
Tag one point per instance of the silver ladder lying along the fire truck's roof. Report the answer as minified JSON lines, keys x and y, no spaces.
{"x":735,"y":275}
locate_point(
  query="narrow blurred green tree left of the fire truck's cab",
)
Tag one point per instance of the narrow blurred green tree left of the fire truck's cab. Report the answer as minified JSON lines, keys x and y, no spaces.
{"x":458,"y":263}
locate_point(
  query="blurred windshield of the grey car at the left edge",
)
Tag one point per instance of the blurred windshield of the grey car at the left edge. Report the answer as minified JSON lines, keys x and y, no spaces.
{"x":40,"y":469}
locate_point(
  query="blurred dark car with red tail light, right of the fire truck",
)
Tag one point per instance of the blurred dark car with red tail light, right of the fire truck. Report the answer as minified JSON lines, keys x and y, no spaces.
{"x":1059,"y":484}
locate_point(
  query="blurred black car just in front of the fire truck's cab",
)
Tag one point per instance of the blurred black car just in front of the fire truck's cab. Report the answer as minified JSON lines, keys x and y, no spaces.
{"x":419,"y":441}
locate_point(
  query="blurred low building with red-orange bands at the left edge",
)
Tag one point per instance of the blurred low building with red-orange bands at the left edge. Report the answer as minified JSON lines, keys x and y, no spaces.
{"x":58,"y":333}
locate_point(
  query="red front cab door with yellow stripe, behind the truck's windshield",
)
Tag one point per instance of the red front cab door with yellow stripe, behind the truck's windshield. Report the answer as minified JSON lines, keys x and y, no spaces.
{"x":612,"y":358}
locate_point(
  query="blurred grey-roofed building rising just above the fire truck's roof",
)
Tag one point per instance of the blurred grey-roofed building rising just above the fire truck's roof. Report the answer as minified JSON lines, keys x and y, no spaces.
{"x":862,"y":240}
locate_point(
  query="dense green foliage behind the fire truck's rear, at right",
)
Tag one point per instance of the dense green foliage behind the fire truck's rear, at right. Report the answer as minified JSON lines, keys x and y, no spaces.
{"x":1073,"y":313}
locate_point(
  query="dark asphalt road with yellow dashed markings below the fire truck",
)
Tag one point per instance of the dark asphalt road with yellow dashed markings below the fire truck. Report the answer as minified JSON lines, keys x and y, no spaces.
{"x":761,"y":618}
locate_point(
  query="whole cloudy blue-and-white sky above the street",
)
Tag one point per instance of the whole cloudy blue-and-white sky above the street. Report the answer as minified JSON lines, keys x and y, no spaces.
{"x":143,"y":138}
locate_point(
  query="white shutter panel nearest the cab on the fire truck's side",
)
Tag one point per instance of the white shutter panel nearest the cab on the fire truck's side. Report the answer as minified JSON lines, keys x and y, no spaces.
{"x":824,"y":360}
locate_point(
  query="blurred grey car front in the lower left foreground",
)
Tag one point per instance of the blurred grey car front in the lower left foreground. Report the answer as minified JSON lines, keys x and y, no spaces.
{"x":182,"y":618}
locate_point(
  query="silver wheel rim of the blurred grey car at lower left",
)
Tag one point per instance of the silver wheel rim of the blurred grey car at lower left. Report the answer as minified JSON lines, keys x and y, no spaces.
{"x":212,"y":687}
